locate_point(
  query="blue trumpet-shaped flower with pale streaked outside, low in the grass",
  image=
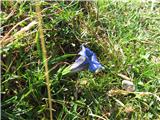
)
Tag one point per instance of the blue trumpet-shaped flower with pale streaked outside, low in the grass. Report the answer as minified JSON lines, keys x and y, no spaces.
{"x":88,"y":60}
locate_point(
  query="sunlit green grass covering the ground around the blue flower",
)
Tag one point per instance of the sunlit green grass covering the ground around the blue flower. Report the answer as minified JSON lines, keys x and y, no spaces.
{"x":124,"y":35}
